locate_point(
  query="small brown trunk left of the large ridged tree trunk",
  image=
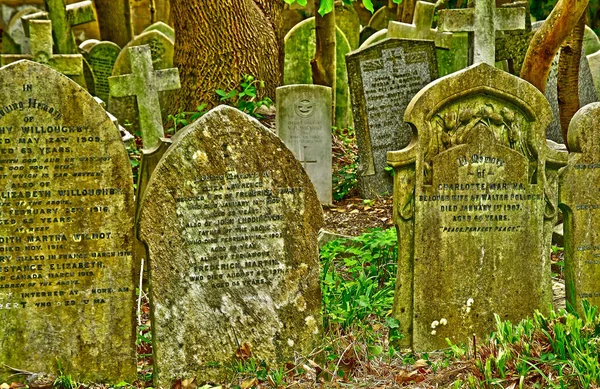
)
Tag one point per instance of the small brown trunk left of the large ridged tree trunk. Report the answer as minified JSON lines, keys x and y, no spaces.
{"x":114,"y":19}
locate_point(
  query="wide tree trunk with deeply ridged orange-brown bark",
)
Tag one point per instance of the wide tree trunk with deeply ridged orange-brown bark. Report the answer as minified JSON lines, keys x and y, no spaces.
{"x":220,"y":41}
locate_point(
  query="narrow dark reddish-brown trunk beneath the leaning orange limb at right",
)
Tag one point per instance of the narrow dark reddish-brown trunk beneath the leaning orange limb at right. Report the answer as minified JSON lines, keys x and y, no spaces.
{"x":568,"y":76}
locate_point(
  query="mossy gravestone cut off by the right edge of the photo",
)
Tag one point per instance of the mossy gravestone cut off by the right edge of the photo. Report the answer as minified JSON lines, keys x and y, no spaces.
{"x":578,"y":198}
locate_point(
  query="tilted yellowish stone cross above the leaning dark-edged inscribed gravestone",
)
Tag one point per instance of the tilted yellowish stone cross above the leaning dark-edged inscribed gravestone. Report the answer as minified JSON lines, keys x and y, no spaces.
{"x":421,"y":27}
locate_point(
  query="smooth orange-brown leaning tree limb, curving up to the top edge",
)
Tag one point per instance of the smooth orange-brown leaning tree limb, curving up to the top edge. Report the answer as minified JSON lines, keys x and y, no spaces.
{"x":548,"y":39}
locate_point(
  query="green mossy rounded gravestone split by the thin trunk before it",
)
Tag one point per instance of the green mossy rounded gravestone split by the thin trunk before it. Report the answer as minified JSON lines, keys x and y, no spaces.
{"x":300,"y":49}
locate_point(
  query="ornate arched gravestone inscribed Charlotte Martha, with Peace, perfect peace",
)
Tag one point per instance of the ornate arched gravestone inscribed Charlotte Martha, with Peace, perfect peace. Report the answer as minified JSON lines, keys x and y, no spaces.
{"x":471,"y":200}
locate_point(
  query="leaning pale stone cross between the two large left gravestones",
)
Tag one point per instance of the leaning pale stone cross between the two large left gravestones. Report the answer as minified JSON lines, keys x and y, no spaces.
{"x":145,"y":83}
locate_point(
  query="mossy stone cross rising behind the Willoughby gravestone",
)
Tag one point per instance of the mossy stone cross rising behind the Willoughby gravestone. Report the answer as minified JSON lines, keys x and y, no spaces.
{"x":41,"y":51}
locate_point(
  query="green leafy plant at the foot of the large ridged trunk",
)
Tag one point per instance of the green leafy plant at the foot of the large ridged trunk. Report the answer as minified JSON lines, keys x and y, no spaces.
{"x":244,"y":96}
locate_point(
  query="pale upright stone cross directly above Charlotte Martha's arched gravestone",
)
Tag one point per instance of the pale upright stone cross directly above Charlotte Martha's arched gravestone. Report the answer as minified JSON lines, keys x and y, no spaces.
{"x":482,"y":20}
